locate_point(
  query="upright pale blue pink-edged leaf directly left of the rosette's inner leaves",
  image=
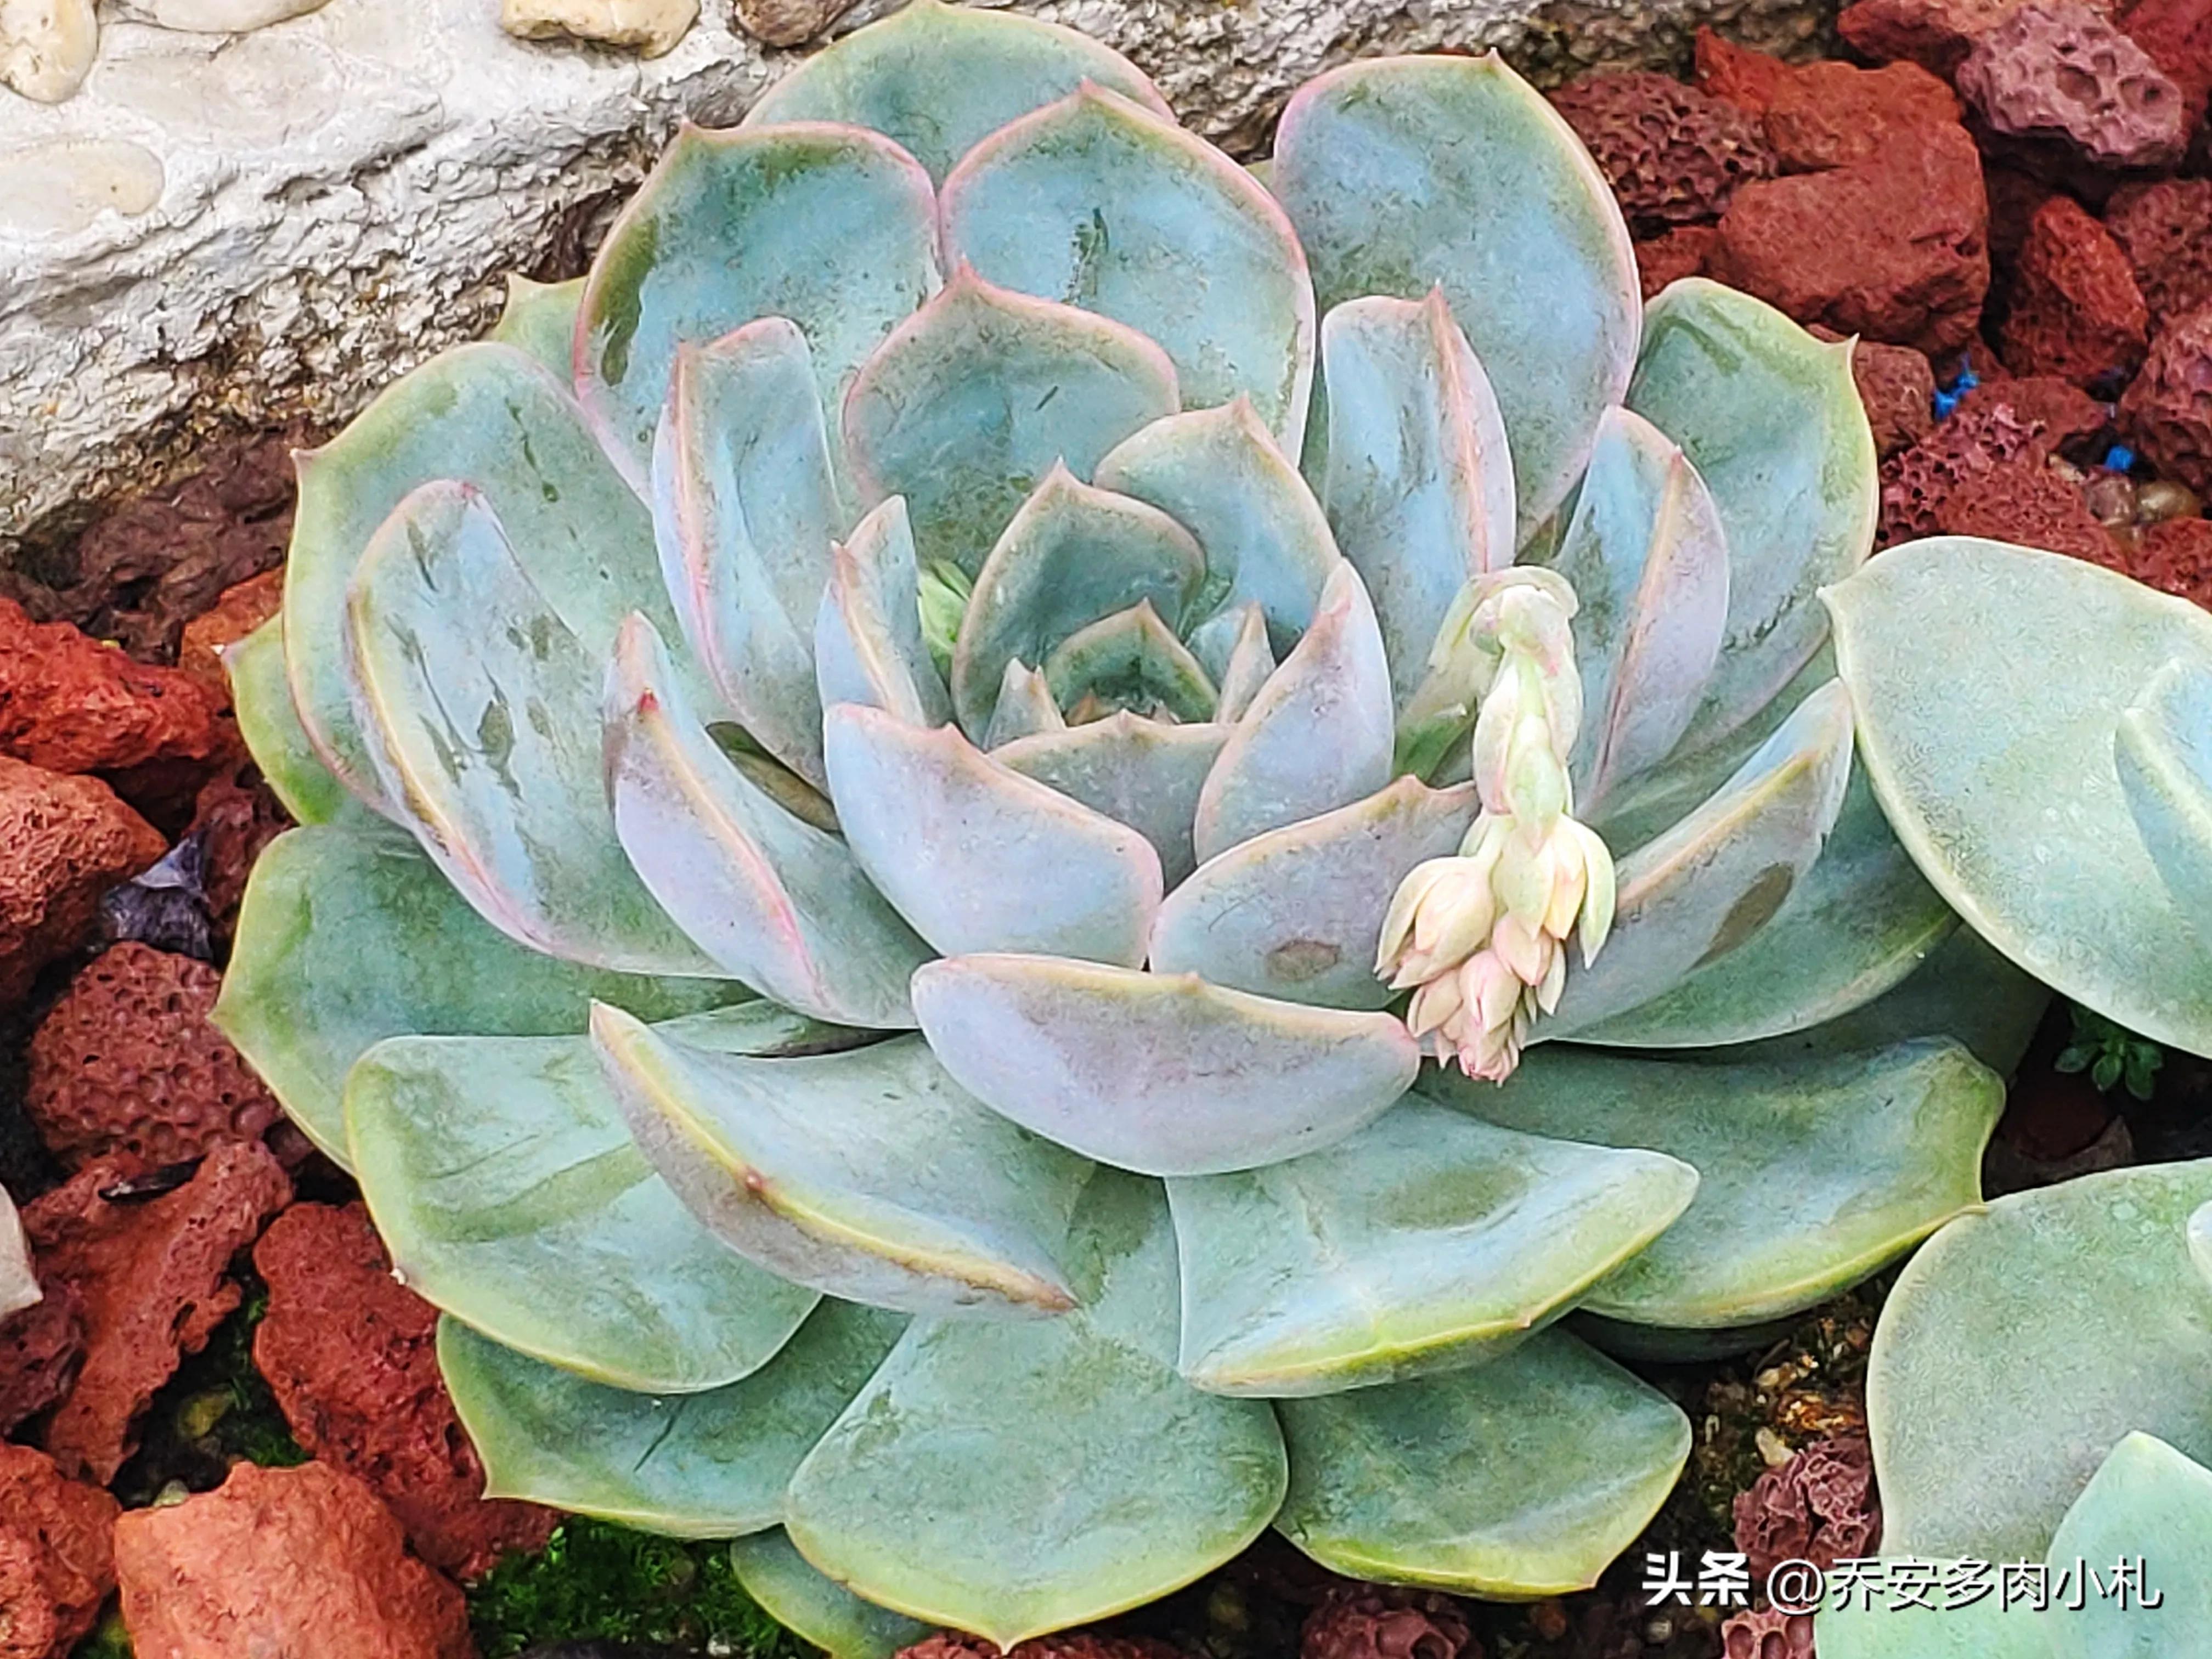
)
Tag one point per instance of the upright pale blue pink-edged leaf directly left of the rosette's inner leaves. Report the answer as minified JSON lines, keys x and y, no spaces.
{"x":747,"y":510}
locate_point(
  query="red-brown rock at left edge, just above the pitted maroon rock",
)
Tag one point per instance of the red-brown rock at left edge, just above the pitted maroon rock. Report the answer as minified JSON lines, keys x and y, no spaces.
{"x":63,"y":844}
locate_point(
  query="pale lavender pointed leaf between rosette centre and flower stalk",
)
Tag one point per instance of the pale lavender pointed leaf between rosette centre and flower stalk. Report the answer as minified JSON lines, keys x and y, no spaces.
{"x":1319,"y":733}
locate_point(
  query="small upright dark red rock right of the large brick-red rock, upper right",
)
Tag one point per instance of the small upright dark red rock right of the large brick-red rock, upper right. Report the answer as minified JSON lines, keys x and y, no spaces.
{"x":2076,"y":311}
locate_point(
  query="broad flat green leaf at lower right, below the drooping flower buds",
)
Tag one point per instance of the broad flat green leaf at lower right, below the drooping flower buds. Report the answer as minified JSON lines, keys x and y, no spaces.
{"x":1811,"y":1173}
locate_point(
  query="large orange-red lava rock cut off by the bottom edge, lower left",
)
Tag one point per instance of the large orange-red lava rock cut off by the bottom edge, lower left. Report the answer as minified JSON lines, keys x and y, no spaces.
{"x":300,"y":1563}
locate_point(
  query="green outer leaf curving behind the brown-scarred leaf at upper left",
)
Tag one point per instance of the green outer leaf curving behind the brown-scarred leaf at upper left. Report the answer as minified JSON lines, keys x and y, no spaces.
{"x":497,"y":421}
